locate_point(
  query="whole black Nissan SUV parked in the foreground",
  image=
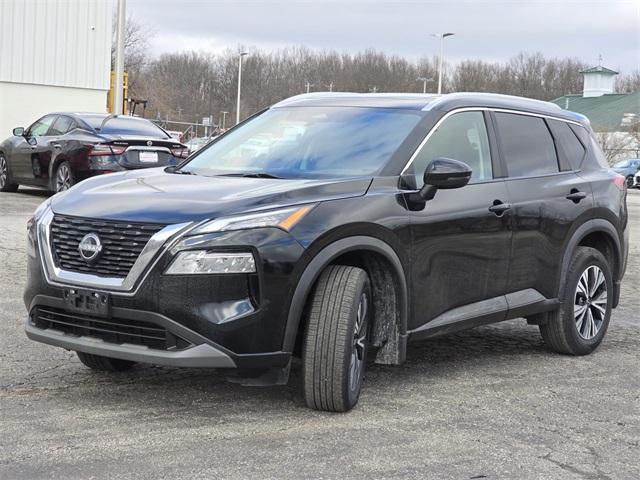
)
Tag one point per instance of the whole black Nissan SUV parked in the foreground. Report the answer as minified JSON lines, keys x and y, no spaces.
{"x":333,"y":227}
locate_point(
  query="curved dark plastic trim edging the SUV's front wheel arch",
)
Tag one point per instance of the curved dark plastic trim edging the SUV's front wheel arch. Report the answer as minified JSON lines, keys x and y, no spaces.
{"x":397,"y":345}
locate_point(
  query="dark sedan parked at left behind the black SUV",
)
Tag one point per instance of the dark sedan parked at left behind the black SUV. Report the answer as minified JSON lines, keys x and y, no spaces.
{"x":60,"y":149}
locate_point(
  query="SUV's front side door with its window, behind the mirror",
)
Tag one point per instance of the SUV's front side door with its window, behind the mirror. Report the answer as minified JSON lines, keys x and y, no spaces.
{"x":461,"y":238}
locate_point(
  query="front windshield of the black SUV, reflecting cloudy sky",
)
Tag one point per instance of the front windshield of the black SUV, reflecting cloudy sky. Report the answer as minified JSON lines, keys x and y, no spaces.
{"x":309,"y":142}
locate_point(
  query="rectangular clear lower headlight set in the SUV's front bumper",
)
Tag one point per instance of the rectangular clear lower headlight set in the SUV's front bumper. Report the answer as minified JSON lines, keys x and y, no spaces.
{"x":192,"y":262}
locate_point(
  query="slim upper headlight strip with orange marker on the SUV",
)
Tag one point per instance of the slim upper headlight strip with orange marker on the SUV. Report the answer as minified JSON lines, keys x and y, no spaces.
{"x":284,"y":218}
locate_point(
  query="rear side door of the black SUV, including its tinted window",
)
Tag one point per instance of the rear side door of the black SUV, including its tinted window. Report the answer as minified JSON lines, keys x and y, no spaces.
{"x":549,"y":198}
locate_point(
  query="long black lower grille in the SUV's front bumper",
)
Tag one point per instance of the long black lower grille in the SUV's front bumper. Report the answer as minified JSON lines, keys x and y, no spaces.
{"x":112,"y":330}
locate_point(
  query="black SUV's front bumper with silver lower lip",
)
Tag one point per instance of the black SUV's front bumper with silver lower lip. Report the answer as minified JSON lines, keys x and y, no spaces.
{"x":228,"y":320}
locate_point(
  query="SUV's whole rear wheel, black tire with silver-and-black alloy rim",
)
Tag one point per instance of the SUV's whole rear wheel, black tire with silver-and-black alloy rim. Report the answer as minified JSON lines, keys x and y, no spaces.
{"x":579,"y":325}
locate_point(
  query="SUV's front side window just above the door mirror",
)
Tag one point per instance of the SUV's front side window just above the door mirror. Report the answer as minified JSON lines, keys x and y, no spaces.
{"x":462,"y":136}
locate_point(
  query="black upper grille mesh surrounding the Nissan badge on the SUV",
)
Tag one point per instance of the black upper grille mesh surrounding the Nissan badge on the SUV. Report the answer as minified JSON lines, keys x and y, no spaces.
{"x":122,"y":243}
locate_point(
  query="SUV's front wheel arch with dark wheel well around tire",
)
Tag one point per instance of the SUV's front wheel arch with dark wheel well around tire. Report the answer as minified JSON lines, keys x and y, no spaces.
{"x":390,"y":293}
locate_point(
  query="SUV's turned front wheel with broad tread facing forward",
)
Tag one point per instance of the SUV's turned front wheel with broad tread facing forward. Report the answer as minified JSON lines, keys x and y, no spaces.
{"x":335,"y":342}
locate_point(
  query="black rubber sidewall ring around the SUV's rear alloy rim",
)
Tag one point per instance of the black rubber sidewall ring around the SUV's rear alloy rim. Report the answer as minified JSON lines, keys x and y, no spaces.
{"x":584,"y":260}
